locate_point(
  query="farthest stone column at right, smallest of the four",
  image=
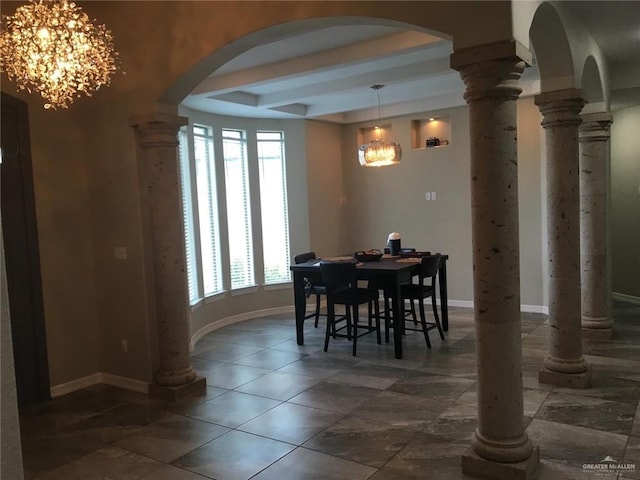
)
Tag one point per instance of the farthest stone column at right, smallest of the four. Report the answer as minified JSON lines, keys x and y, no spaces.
{"x":594,"y":225}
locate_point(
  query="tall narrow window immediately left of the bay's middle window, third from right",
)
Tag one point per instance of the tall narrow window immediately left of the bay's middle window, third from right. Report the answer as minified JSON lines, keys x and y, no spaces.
{"x":207,"y":210}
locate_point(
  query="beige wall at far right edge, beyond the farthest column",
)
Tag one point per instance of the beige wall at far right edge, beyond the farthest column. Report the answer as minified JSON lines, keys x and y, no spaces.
{"x":625,"y":201}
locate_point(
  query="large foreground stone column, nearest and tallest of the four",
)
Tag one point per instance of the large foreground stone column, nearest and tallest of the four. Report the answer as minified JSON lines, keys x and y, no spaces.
{"x":500,"y":447}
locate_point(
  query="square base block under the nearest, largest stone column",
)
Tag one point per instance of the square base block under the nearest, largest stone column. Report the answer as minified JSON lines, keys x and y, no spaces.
{"x":476,"y":466}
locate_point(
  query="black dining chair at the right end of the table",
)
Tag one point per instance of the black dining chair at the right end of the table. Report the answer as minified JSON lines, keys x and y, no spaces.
{"x":425,"y":288}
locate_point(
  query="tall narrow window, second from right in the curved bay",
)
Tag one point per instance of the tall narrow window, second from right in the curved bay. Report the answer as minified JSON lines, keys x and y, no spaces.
{"x":234,"y":145}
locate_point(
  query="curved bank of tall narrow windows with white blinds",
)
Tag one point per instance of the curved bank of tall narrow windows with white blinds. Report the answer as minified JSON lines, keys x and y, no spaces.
{"x":212,"y":267}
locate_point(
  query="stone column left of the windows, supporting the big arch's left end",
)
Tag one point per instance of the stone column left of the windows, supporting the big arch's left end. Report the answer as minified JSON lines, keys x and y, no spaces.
{"x":157,"y":141}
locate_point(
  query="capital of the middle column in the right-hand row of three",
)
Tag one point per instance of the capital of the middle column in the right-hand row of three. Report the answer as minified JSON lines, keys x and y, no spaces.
{"x":561,"y":107}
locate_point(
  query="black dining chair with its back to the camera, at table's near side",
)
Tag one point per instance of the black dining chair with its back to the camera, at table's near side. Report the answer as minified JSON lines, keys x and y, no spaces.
{"x":341,"y":282}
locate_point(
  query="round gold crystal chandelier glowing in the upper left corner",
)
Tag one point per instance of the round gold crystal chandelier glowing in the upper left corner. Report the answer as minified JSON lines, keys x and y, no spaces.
{"x":51,"y":46}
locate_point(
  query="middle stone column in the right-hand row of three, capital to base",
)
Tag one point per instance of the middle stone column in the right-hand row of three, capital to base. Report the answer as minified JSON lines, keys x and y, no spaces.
{"x":565,"y":365}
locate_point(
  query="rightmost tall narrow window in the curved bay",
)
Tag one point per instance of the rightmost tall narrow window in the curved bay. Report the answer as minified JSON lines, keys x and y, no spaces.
{"x":273,"y":207}
